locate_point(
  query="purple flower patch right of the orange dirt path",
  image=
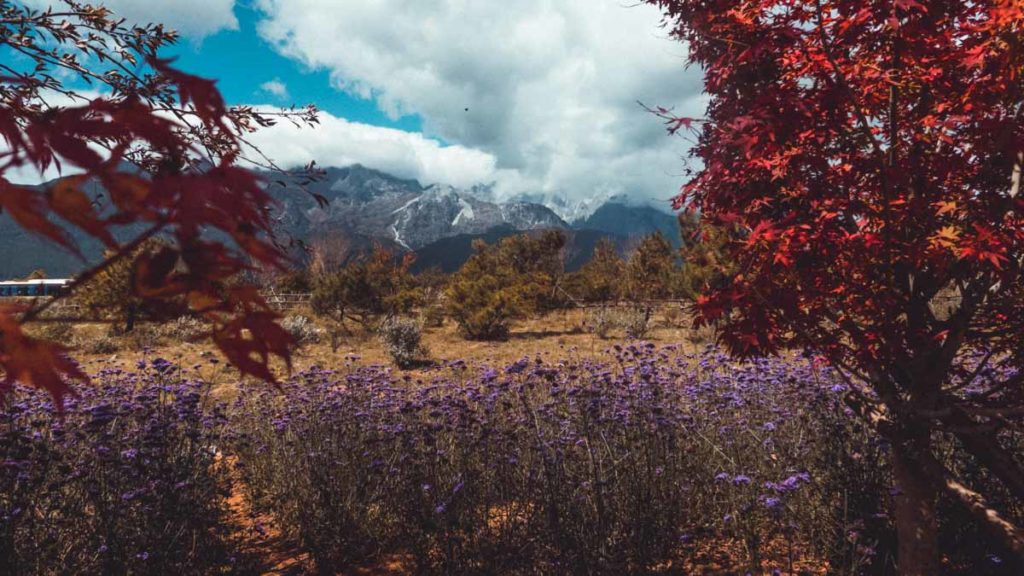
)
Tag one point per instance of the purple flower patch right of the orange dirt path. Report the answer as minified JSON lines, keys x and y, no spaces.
{"x":621,"y":467}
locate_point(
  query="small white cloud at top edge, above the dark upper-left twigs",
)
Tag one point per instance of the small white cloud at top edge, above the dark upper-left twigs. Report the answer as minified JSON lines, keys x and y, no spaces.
{"x":194,"y":19}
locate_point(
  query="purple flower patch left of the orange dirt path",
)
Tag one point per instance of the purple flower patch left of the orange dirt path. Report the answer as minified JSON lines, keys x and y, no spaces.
{"x":124,"y":482}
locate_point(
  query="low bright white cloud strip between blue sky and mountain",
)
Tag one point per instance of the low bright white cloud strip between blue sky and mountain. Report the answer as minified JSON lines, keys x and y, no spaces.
{"x":337,"y":142}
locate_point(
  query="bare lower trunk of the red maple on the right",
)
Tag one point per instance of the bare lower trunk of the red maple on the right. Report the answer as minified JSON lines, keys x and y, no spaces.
{"x":917,"y":525}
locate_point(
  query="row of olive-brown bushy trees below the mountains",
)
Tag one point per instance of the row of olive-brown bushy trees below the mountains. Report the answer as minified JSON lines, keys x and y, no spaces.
{"x":517,"y":277}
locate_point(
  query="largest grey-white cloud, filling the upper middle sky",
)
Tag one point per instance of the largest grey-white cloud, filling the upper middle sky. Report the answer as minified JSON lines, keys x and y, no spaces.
{"x":549,"y":89}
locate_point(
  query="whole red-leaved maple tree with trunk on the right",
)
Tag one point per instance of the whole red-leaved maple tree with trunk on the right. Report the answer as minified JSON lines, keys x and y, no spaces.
{"x":871,"y":153}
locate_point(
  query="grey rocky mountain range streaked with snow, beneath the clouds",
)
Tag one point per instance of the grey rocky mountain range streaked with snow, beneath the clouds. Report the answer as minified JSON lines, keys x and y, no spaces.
{"x":362,"y":207}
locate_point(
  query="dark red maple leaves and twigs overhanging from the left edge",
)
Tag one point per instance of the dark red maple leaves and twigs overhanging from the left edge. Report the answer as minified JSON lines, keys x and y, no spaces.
{"x":169,"y":155}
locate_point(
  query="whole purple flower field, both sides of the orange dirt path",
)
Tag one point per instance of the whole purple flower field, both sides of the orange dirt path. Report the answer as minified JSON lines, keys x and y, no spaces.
{"x":651,"y":461}
